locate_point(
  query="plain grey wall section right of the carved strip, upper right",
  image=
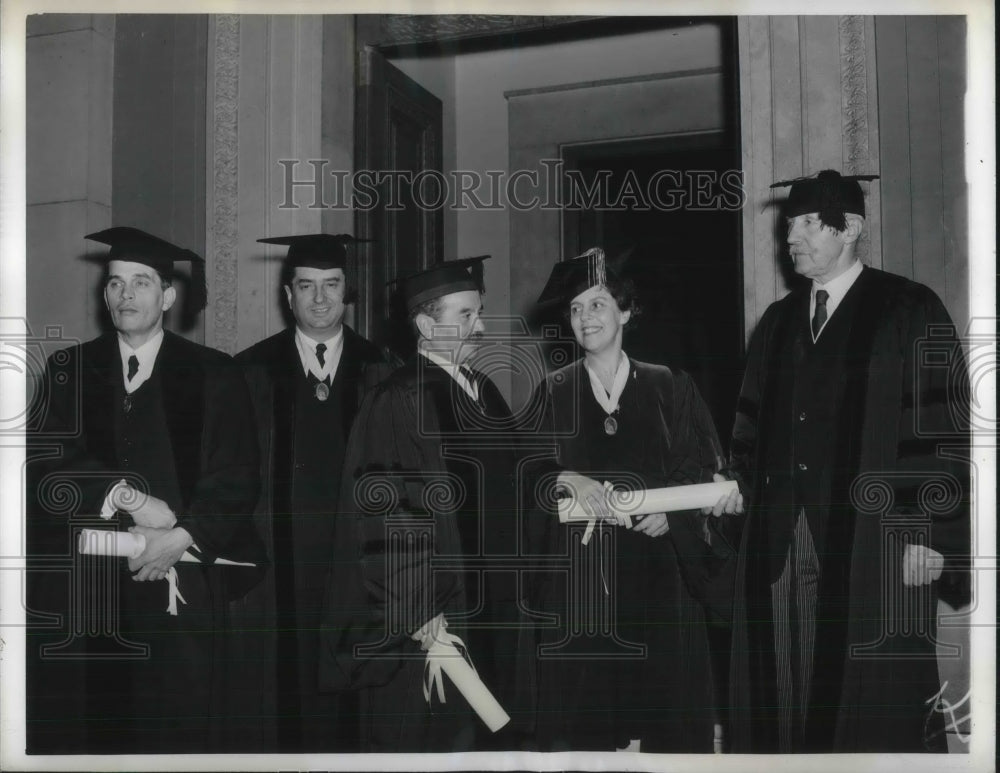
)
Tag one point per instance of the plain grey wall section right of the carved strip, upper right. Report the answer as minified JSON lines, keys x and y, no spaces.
{"x":921,"y":86}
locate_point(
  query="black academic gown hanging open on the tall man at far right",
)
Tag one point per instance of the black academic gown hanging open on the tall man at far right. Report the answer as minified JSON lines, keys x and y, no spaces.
{"x":899,"y":399}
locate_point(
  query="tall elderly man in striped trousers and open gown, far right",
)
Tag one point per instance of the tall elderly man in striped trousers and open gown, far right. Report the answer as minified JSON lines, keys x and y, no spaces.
{"x":851,"y":445}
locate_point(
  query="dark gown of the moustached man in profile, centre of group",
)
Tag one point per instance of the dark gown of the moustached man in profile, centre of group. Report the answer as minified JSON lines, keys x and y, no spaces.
{"x":423,"y":455}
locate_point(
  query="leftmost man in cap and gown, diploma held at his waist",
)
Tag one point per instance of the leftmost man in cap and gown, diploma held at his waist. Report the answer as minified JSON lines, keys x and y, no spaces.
{"x":172,"y":420}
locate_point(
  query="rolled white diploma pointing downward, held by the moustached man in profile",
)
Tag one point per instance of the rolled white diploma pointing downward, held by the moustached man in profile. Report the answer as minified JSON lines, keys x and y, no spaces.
{"x":449,"y":654}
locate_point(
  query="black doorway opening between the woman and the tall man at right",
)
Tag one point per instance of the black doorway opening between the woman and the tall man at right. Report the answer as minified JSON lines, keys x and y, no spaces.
{"x":671,"y":205}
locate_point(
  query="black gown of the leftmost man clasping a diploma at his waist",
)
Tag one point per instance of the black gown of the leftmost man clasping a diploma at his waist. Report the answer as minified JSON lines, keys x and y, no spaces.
{"x":174,"y":699}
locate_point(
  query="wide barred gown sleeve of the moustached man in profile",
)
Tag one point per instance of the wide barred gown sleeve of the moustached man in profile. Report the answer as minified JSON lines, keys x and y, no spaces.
{"x":380,"y":586}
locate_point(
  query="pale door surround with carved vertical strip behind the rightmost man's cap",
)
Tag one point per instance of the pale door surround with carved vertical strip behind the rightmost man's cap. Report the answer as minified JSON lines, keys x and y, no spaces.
{"x":809,"y":101}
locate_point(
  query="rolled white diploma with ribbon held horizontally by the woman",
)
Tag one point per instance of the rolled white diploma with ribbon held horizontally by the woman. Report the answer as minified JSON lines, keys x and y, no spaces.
{"x":627,"y":504}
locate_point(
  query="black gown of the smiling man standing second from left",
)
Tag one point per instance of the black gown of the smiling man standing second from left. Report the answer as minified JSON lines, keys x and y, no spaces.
{"x":295,"y":512}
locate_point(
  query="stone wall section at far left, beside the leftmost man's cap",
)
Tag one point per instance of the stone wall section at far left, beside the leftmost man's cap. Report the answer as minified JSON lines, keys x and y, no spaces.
{"x":69,"y":108}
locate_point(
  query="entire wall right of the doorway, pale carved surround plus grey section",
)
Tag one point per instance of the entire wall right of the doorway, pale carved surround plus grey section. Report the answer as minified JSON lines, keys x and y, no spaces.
{"x":862,"y":94}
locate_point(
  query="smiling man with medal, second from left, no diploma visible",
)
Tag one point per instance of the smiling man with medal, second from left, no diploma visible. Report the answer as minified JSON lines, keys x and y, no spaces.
{"x":306,"y":383}
